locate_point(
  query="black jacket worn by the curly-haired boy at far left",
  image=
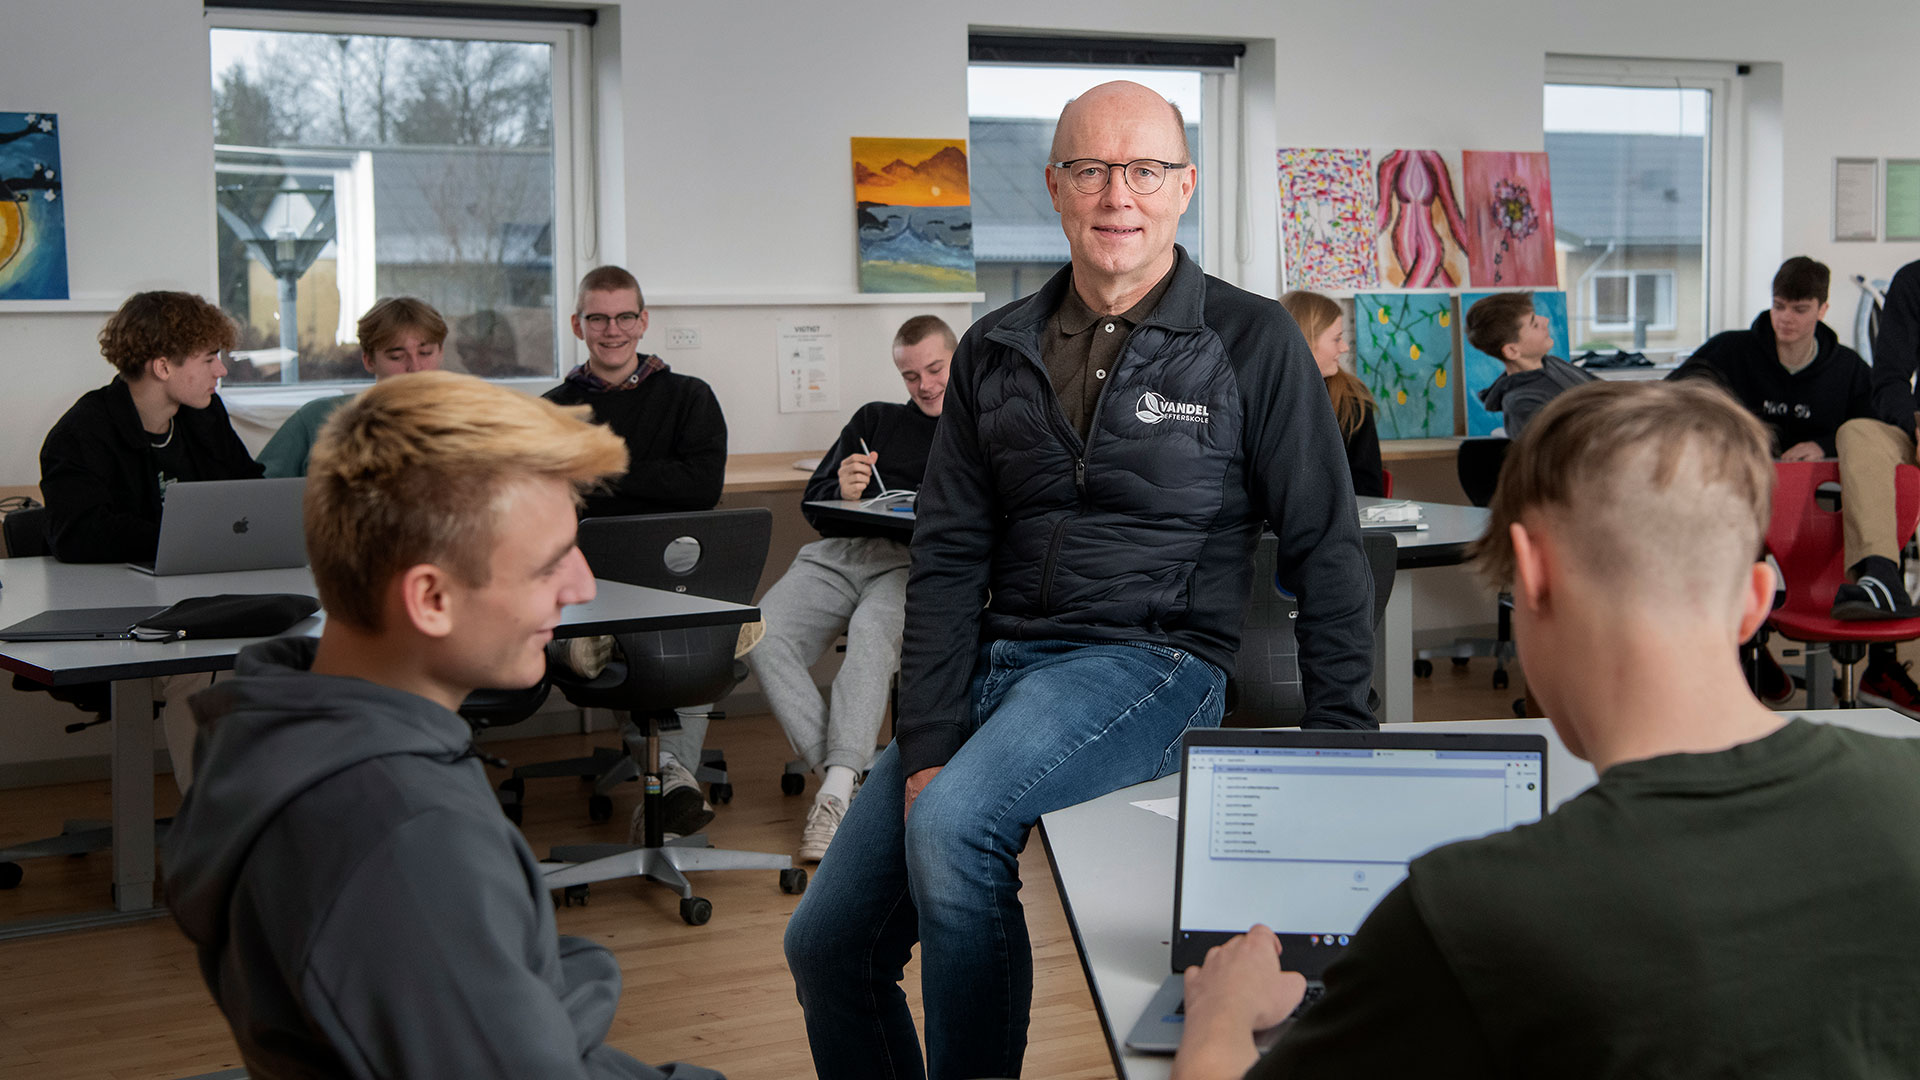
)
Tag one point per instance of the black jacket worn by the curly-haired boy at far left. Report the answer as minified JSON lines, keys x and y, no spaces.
{"x":103,"y":485}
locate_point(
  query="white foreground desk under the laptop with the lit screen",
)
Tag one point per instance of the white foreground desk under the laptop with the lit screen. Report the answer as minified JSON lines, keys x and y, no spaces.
{"x":1115,"y":870}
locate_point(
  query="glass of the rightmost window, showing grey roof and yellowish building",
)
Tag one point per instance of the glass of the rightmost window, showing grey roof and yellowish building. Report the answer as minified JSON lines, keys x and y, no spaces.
{"x":1631,"y":197}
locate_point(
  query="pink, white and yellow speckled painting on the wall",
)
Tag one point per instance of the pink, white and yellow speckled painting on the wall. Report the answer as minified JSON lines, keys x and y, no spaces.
{"x":1328,"y":210}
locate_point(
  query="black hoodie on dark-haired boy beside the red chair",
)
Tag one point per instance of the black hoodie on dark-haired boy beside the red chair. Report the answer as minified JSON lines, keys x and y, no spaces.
{"x":1800,"y":406}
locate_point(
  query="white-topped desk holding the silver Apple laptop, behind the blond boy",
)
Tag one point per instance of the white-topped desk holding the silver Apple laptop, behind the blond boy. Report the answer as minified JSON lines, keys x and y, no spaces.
{"x":30,"y":587}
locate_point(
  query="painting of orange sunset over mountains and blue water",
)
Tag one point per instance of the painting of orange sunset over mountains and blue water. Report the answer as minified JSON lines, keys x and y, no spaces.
{"x":915,"y":214}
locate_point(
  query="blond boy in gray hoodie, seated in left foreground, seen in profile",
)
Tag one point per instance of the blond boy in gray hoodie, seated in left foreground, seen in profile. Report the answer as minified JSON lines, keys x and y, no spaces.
{"x":358,"y":902}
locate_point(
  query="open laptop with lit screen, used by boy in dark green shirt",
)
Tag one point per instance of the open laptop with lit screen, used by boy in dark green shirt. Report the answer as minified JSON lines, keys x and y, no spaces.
{"x":1308,"y":829}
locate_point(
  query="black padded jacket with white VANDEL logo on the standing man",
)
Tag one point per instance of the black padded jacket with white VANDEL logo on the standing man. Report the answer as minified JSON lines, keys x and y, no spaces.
{"x":1212,"y":422}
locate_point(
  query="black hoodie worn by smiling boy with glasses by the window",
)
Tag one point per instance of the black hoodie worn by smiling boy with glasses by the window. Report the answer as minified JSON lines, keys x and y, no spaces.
{"x":675,"y":443}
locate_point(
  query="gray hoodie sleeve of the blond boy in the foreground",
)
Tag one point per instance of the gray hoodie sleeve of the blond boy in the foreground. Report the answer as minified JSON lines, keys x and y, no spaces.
{"x":439,"y":960}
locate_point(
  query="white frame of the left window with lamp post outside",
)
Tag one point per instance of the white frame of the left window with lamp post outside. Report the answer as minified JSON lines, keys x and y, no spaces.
{"x":575,"y":230}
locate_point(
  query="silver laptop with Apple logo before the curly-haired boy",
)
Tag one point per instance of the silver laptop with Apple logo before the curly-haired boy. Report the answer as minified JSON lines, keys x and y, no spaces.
{"x":231,"y":526}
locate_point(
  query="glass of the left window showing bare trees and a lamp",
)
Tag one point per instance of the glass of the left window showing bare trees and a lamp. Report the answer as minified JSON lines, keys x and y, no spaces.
{"x":352,"y":168}
